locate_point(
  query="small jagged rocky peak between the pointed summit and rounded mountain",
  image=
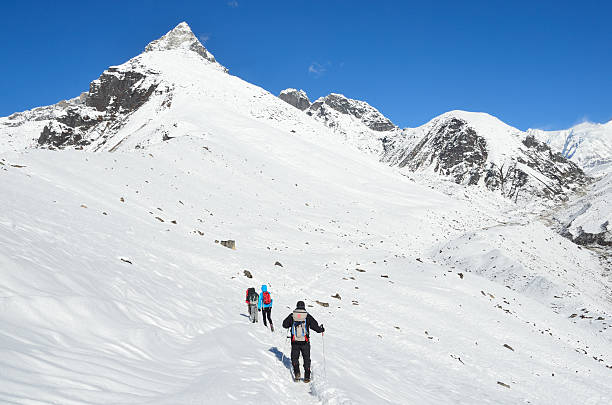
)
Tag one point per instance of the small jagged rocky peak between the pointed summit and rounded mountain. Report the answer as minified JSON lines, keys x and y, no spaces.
{"x":324,"y":109}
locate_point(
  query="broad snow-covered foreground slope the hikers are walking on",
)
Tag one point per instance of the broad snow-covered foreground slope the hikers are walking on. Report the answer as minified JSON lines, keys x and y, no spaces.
{"x":164,"y":324}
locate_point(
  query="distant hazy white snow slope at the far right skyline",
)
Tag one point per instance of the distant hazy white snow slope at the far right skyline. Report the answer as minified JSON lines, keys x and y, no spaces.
{"x":588,"y":144}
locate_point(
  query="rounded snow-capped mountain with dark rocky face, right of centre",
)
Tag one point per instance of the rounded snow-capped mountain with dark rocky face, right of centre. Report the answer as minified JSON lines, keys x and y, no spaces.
{"x":472,"y":149}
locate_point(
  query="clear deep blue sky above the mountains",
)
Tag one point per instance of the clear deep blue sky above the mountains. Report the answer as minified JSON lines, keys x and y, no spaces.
{"x":539,"y":64}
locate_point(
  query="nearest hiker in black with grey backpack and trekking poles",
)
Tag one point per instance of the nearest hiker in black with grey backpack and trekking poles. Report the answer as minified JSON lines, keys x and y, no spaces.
{"x":300,"y":323}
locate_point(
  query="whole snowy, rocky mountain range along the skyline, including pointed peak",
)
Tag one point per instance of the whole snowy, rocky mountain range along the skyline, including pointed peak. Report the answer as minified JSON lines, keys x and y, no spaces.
{"x":138,"y":103}
